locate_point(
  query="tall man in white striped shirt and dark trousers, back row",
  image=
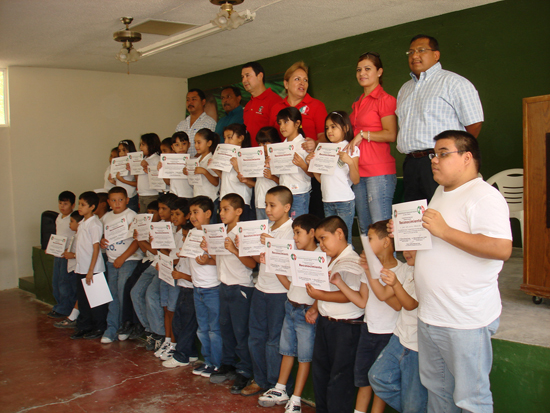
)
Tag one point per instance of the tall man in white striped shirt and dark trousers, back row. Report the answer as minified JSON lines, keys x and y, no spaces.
{"x":434,"y":100}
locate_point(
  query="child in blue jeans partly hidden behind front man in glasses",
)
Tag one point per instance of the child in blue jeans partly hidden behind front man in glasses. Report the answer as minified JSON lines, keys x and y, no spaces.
{"x":394,"y":376}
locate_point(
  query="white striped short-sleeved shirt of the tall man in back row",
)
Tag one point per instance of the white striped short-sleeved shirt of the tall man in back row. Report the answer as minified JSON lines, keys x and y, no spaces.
{"x":440,"y":100}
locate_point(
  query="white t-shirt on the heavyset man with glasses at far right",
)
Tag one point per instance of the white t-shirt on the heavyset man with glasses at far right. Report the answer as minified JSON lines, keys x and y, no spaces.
{"x":454,"y":288}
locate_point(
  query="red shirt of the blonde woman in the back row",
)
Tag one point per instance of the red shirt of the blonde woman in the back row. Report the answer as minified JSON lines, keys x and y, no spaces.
{"x":313,"y":113}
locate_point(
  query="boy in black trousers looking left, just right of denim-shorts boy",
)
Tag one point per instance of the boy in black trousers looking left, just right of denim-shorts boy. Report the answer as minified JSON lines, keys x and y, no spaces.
{"x":339,"y":327}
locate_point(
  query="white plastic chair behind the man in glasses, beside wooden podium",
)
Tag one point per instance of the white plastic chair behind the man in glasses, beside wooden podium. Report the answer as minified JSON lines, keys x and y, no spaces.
{"x":510,"y":185}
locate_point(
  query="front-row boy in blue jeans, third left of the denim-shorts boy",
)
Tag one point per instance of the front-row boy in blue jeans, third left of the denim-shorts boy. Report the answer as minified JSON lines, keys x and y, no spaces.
{"x":206,"y":292}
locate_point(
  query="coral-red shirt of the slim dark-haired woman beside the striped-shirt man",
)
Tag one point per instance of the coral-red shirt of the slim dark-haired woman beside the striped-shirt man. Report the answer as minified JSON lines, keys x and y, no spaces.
{"x":367,"y":113}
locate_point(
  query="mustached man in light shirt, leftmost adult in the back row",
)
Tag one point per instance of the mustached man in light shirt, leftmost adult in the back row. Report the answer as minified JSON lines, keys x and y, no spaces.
{"x":197,"y":118}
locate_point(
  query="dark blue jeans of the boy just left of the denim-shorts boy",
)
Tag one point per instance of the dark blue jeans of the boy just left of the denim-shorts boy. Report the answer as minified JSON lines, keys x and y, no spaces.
{"x":267,"y":313}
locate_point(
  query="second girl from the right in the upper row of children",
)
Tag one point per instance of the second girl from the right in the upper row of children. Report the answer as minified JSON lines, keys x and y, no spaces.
{"x":290,"y":122}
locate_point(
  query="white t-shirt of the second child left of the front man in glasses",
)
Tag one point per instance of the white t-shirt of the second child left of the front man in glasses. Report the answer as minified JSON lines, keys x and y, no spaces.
{"x":379,"y":316}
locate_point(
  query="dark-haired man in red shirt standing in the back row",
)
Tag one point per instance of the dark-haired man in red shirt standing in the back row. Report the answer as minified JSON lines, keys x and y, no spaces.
{"x":258,"y":109}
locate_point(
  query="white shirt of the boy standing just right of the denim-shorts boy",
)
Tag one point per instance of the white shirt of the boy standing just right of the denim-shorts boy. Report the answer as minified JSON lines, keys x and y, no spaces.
{"x":343,"y":311}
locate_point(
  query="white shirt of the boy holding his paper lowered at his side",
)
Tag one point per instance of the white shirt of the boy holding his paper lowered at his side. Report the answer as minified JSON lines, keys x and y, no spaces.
{"x":90,"y":232}
